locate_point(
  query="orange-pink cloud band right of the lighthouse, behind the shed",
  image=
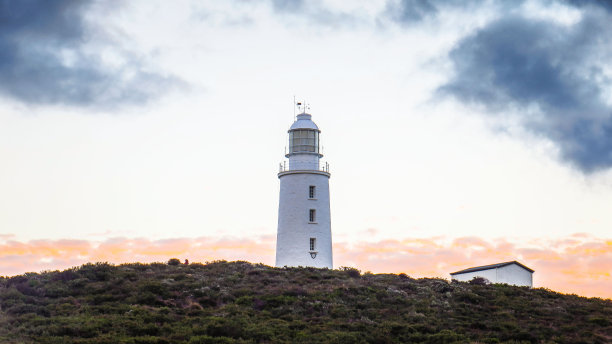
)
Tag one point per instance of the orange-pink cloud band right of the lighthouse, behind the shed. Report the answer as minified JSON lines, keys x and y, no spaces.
{"x":575,"y":264}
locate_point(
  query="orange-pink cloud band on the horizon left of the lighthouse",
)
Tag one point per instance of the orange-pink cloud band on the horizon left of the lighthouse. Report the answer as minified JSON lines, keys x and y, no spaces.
{"x":37,"y":255}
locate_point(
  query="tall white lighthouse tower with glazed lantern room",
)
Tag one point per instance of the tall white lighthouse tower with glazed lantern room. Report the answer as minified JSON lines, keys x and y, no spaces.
{"x":304,"y":223}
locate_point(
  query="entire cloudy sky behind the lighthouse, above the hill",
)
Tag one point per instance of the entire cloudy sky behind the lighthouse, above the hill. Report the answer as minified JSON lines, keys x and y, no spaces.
{"x":458,"y":133}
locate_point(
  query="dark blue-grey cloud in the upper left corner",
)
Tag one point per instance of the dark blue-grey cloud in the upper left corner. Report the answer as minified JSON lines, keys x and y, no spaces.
{"x":43,"y":60}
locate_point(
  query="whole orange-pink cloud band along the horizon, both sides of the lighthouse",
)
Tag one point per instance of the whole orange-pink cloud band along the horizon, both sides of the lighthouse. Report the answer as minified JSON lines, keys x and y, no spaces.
{"x":579,"y":264}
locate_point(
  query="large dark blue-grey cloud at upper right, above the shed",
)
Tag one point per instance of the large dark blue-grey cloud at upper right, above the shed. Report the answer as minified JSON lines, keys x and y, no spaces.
{"x":556,"y":69}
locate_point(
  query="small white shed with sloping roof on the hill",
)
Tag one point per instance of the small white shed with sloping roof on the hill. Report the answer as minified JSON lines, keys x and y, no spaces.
{"x":513,"y":273}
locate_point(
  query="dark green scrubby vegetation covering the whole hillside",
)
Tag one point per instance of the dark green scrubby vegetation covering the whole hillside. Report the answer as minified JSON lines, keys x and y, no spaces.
{"x":239,"y":302}
